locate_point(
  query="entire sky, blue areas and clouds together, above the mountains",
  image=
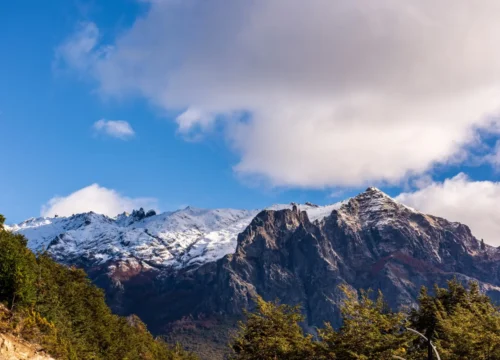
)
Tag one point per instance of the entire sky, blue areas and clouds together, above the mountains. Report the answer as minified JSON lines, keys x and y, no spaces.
{"x":231,"y":106}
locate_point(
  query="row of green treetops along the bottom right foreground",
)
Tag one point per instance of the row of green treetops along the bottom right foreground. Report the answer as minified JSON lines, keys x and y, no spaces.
{"x":462,"y":323}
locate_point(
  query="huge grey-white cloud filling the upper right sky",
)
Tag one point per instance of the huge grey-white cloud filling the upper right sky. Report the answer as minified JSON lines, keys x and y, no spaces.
{"x":335,"y":93}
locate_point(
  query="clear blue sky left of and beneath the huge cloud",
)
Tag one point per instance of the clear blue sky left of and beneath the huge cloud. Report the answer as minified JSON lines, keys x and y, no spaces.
{"x":46,"y":117}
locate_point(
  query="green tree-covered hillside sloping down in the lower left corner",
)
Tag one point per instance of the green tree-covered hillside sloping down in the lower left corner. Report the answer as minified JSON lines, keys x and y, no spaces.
{"x":58,"y":308}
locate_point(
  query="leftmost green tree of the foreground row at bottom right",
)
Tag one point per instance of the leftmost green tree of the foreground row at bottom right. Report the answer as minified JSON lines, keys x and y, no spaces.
{"x":272,"y":332}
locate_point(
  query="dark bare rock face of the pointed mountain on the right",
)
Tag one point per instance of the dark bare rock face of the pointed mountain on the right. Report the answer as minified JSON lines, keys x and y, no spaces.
{"x":370,"y":242}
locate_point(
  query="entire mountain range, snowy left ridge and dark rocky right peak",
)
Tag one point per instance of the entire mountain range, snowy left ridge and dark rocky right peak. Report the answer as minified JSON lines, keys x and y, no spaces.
{"x":190,"y":274}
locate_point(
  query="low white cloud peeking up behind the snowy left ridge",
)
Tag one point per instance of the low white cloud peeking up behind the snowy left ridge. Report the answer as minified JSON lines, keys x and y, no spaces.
{"x":97,"y":199}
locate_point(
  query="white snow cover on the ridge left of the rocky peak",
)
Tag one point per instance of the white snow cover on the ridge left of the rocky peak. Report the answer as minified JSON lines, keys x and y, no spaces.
{"x":172,"y":240}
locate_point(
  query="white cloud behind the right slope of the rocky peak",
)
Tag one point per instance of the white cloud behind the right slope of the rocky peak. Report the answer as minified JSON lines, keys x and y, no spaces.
{"x":474,"y":203}
